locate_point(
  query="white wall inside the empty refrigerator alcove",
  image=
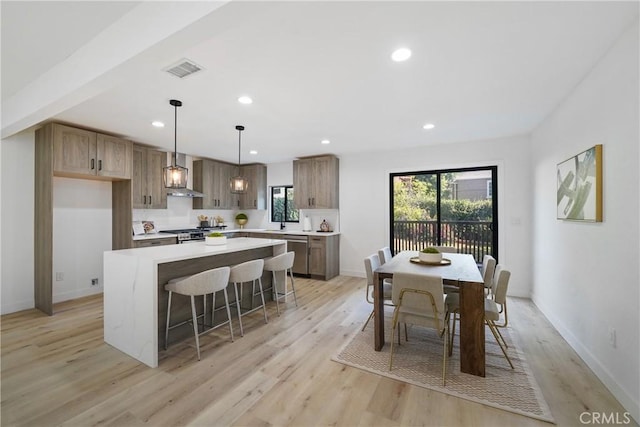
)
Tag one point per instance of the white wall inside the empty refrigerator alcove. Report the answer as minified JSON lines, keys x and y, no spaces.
{"x":81,"y":234}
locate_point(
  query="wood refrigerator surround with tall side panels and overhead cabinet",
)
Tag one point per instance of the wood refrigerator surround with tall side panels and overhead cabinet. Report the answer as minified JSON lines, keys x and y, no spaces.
{"x":66,"y":151}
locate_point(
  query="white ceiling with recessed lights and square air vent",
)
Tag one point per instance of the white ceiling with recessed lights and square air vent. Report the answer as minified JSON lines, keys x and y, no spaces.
{"x":316,"y":70}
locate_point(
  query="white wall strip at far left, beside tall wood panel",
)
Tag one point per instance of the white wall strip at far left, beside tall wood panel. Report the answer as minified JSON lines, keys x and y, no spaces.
{"x":16,"y":222}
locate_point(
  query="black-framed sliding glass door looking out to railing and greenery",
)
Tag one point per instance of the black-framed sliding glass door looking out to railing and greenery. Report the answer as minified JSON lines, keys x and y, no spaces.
{"x":453,"y":207}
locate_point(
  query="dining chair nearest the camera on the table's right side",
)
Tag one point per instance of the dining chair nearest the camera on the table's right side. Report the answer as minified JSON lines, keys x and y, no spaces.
{"x":492,"y":310}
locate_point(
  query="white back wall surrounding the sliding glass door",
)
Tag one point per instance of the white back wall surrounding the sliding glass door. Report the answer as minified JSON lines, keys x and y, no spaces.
{"x":364,"y":199}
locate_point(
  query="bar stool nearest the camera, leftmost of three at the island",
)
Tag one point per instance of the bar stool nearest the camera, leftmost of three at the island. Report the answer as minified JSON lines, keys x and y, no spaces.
{"x":207,"y":282}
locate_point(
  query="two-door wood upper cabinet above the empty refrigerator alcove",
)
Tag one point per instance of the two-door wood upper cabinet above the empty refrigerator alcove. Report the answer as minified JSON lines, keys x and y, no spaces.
{"x":87,"y":154}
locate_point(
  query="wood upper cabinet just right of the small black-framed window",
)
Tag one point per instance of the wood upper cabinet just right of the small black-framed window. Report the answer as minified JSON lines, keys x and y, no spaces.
{"x":315,"y":182}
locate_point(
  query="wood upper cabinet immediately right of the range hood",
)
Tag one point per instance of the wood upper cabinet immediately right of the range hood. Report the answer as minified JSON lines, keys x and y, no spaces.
{"x":212,"y":178}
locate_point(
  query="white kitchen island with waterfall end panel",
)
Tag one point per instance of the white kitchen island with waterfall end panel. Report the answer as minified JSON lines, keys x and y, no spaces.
{"x":135,"y":302}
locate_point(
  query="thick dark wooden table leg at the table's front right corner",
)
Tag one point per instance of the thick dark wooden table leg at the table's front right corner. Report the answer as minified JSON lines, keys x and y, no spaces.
{"x":472,"y":328}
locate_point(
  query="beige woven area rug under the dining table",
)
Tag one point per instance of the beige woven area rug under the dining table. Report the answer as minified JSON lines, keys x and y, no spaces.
{"x":419,"y":362}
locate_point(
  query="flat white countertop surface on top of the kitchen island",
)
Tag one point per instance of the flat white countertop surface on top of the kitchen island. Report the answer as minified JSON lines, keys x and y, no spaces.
{"x":170,"y":253}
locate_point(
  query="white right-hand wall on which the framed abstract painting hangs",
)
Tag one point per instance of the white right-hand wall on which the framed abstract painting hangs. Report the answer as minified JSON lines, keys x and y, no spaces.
{"x":586,"y":275}
